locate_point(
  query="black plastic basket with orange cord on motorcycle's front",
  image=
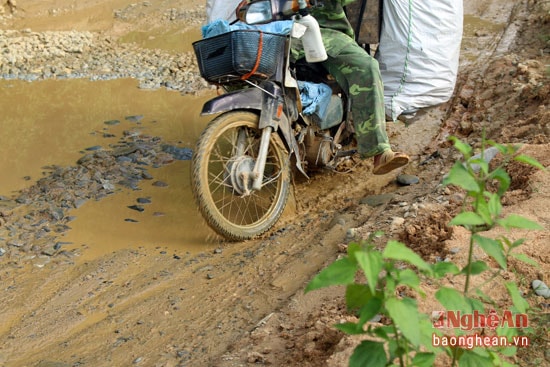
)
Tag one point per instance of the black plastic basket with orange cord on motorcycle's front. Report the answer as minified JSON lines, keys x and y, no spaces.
{"x":240,"y":54}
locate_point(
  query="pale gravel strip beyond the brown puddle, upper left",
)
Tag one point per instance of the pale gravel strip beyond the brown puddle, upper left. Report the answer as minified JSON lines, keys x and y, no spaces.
{"x":30,"y":56}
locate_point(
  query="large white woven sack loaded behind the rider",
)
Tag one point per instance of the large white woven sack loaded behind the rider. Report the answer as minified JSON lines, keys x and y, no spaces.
{"x":419,"y":53}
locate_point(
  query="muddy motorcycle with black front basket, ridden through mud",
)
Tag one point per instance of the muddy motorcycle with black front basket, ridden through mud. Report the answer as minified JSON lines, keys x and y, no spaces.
{"x":243,"y":162}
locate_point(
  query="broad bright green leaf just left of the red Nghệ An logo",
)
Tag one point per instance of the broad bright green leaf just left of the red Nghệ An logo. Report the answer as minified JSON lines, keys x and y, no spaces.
{"x":404,"y":314}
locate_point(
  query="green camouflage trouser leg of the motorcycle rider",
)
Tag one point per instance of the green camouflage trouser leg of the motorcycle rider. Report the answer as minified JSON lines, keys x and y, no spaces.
{"x":358,"y":74}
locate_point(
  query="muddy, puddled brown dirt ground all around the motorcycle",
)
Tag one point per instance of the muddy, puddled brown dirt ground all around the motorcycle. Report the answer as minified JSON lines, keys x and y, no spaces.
{"x":87,"y":281}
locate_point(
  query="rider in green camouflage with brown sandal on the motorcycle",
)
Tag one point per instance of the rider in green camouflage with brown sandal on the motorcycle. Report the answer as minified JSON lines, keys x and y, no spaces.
{"x":358,"y":73}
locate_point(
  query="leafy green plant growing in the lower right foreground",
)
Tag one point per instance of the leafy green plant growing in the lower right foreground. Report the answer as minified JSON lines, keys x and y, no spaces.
{"x":388,"y":276}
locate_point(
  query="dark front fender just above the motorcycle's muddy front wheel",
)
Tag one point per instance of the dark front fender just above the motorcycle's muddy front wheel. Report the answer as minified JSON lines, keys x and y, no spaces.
{"x":249,"y":99}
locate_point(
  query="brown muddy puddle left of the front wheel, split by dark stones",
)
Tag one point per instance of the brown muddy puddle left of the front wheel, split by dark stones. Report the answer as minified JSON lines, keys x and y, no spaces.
{"x":49,"y":123}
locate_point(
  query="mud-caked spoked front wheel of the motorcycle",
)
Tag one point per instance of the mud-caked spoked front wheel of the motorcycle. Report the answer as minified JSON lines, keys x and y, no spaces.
{"x":225,"y":154}
